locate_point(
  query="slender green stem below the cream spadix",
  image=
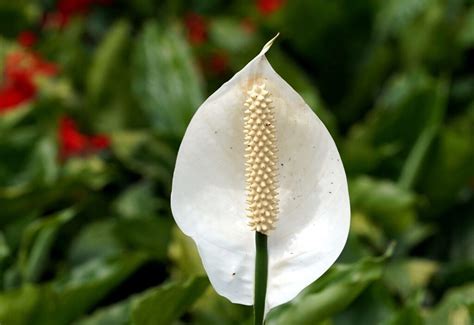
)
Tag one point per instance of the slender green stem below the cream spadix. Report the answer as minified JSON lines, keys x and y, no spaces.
{"x":261,"y":275}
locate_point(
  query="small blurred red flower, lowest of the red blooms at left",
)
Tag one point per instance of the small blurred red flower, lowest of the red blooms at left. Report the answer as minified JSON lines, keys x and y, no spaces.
{"x":73,"y":142}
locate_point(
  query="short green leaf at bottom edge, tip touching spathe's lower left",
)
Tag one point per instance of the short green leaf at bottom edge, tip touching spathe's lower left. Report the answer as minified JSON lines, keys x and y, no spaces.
{"x":172,"y":300}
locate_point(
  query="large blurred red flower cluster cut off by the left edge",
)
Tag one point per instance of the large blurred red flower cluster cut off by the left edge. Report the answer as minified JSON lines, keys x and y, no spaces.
{"x":18,"y":85}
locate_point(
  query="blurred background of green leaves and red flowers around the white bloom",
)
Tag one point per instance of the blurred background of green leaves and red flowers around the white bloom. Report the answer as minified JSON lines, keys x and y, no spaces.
{"x":95,"y":96}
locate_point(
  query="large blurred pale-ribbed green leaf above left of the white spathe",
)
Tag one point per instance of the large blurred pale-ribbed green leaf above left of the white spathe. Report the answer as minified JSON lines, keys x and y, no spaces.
{"x":165,"y":81}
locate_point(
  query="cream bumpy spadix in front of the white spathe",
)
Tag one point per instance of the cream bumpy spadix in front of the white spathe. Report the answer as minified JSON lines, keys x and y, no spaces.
{"x":260,"y":159}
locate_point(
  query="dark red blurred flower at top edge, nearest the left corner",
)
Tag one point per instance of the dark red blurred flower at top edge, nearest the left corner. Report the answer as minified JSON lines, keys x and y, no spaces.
{"x":65,"y":9}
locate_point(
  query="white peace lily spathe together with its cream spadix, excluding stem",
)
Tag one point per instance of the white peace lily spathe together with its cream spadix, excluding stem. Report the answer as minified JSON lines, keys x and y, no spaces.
{"x":256,"y":158}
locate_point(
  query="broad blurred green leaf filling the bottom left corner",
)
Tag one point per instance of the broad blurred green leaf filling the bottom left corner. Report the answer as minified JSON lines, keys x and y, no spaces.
{"x":64,"y":300}
